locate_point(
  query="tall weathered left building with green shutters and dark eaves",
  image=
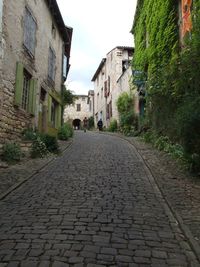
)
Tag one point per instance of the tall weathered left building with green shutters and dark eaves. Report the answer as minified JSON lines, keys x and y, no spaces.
{"x":34,"y":63}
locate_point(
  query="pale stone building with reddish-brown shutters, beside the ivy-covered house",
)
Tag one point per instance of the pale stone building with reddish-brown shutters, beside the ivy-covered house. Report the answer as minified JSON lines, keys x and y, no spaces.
{"x":111,"y":78}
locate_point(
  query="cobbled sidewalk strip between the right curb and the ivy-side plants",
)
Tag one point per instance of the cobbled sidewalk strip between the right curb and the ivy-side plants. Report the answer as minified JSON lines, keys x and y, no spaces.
{"x":181,"y":189}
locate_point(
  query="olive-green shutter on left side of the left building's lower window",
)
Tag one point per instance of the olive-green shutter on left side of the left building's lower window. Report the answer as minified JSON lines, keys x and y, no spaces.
{"x":19,"y":84}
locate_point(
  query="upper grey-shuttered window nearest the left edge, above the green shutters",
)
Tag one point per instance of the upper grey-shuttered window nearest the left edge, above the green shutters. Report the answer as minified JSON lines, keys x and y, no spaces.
{"x":29,"y":32}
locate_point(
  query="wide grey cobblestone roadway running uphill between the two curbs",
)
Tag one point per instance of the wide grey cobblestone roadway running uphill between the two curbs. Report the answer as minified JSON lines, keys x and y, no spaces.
{"x":97,"y":205}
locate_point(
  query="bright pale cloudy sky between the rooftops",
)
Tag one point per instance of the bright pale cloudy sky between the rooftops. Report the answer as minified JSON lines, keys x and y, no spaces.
{"x":98,"y":27}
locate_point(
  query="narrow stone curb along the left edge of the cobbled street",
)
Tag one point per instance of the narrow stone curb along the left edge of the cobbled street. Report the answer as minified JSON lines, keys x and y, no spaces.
{"x":17,"y":185}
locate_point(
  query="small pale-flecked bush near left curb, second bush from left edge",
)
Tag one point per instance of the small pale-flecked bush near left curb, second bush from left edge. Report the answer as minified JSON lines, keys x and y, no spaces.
{"x":38,"y":148}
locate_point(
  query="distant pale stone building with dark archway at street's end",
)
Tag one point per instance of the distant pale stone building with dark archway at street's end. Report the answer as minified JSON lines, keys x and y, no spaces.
{"x":82,"y":107}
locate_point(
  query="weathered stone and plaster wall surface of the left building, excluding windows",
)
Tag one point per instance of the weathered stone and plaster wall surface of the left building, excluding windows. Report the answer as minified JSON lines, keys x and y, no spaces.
{"x":13,"y":120}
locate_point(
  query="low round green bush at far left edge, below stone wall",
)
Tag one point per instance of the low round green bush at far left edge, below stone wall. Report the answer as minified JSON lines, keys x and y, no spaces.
{"x":11,"y":152}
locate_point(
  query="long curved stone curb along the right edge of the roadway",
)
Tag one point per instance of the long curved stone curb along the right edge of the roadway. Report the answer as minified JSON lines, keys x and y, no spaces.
{"x":174,"y":216}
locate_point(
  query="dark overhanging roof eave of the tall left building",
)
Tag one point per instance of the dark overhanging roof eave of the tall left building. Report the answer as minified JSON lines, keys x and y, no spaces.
{"x":65,"y":31}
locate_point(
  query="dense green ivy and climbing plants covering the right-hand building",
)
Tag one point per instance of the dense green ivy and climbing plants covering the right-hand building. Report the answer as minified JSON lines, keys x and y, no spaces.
{"x":173,"y":70}
